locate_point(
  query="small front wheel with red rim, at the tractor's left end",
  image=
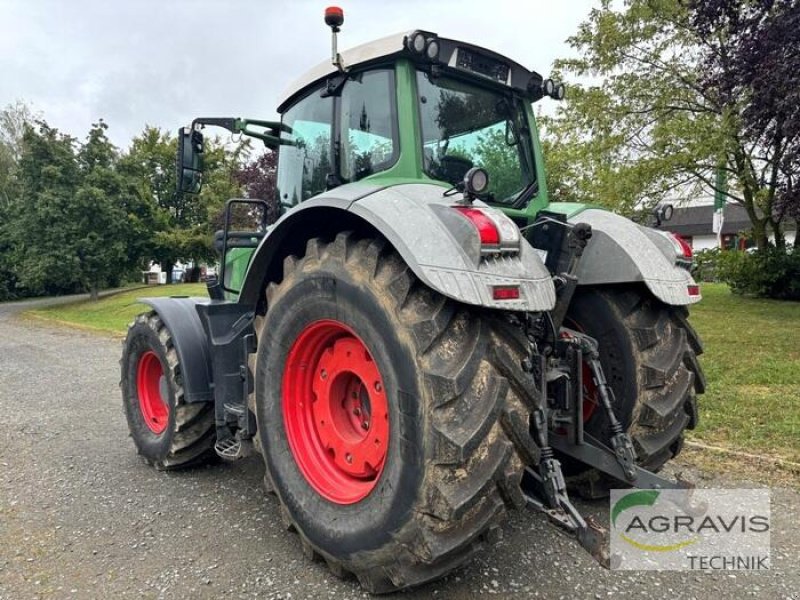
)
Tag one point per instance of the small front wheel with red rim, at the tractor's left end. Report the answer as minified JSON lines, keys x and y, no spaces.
{"x":168,"y":432}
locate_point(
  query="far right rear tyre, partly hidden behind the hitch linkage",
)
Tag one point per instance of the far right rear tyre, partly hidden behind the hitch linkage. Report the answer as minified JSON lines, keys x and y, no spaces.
{"x":648,"y":352}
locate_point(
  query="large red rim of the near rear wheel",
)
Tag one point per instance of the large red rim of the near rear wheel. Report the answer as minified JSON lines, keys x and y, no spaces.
{"x":335,"y":412}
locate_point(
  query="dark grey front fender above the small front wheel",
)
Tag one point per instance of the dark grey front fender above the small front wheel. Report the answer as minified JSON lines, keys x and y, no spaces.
{"x":180,"y":316}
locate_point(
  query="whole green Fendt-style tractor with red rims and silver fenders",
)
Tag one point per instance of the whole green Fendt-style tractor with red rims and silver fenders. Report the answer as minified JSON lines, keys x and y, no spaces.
{"x":422,"y":341}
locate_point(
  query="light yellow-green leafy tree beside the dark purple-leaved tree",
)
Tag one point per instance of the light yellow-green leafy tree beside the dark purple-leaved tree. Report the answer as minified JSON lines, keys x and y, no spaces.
{"x":652,"y":124}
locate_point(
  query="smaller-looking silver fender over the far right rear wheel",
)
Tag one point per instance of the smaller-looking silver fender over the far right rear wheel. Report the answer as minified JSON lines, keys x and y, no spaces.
{"x":622,"y":251}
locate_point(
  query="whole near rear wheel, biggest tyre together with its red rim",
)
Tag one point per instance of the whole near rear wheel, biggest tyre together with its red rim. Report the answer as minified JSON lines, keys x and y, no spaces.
{"x":446,"y":471}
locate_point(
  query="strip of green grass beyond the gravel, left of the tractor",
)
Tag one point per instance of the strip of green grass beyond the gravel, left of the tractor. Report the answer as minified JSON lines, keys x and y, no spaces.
{"x":112,"y":314}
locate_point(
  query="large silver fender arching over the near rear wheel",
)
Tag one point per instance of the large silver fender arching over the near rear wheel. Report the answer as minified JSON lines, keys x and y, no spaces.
{"x":438,"y":245}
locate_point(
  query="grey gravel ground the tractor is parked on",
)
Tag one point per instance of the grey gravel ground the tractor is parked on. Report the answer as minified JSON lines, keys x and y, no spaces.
{"x":82,"y":517}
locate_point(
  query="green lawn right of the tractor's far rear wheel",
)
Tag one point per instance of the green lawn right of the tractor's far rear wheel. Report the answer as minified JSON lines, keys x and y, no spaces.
{"x":752,"y":362}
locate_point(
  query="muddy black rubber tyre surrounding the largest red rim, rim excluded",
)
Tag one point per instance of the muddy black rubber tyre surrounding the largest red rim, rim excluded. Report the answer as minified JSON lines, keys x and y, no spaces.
{"x":451,"y":469}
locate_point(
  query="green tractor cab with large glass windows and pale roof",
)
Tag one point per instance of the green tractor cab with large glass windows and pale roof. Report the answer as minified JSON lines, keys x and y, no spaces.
{"x":412,"y":107}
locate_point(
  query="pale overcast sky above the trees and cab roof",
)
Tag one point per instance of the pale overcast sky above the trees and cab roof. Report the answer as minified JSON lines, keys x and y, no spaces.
{"x":163,"y":62}
